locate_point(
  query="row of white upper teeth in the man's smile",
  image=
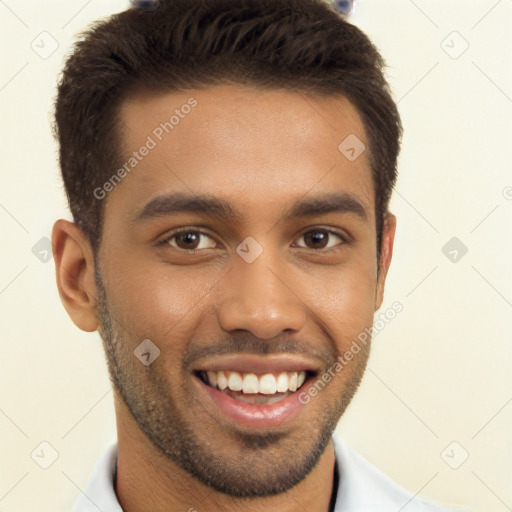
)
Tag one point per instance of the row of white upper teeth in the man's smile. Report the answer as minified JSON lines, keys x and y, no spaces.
{"x":251,"y":383}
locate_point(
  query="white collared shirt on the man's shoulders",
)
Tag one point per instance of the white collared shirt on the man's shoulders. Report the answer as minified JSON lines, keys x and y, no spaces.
{"x":362,"y":488}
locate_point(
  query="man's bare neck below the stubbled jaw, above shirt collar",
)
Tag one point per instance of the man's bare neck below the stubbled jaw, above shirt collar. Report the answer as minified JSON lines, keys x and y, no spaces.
{"x":147,"y":481}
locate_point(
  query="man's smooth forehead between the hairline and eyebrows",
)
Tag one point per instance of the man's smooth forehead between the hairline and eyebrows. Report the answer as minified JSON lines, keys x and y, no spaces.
{"x":257,"y":148}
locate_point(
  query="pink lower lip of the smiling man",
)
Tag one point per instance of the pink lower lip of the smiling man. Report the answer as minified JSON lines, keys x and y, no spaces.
{"x":256,"y":415}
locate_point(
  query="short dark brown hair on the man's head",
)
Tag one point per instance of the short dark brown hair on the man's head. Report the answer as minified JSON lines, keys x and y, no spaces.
{"x":302,"y":45}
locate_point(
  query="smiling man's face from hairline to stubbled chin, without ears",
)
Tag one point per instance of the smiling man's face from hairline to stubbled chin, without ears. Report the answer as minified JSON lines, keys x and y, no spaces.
{"x":292,"y":297}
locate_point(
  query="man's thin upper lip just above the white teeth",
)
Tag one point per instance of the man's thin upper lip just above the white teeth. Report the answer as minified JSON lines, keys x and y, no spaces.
{"x":258,"y":364}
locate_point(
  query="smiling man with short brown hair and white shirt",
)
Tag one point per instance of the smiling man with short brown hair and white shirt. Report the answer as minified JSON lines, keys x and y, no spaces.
{"x":229,"y":166}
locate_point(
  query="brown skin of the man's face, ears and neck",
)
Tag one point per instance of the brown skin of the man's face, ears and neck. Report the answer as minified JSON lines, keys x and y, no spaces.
{"x":261,"y":151}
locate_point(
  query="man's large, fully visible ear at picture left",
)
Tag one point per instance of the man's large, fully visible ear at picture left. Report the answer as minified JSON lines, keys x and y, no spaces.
{"x":74,"y":267}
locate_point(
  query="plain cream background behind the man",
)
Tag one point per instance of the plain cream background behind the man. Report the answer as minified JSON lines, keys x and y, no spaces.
{"x":439,"y":372}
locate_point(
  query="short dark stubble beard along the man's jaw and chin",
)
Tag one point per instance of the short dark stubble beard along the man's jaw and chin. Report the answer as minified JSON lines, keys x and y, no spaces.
{"x":255,"y":464}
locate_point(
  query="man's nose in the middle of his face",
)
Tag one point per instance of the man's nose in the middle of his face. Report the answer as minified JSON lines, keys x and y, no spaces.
{"x":261,"y":297}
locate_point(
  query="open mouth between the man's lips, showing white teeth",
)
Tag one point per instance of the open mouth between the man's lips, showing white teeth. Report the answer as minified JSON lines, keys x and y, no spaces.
{"x":257,"y":388}
